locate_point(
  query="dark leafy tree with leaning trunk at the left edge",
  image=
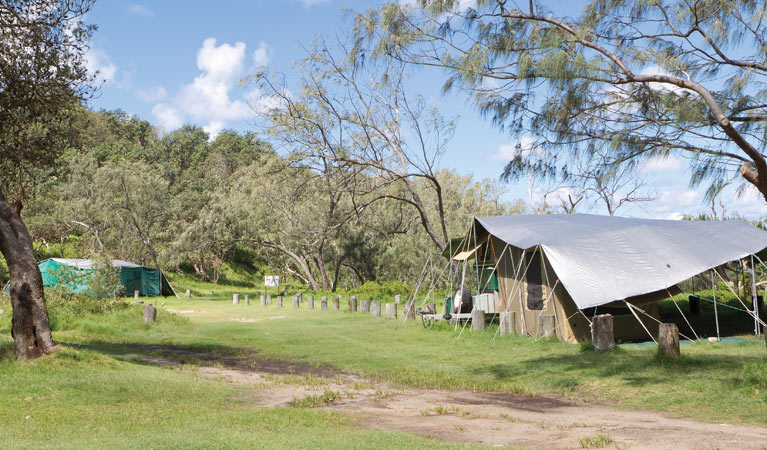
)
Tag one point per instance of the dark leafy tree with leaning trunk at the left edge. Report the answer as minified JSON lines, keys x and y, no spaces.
{"x":42,"y":80}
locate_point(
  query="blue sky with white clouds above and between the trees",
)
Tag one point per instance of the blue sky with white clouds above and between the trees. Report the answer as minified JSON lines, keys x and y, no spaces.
{"x":174,"y":62}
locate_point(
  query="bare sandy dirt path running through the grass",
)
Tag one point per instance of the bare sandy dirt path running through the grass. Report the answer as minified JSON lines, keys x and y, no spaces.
{"x":489,"y":418}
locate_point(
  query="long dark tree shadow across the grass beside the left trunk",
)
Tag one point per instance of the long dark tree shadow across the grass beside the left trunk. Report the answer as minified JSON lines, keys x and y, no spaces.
{"x":234,"y":358}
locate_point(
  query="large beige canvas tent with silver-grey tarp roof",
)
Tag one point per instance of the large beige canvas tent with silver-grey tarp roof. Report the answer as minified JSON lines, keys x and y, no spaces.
{"x":558,"y":271}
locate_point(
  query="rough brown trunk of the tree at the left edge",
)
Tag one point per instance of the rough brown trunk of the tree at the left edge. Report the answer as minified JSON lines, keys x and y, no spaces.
{"x":31,"y":328}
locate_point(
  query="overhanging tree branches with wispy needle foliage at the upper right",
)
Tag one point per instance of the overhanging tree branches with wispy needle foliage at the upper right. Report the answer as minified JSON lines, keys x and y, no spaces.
{"x":629,"y":79}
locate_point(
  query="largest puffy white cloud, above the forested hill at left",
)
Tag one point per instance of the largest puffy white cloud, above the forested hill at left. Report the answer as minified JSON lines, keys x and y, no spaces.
{"x":207,"y":99}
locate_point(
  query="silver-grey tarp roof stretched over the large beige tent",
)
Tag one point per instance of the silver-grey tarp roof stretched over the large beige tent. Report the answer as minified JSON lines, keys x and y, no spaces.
{"x":600,"y":259}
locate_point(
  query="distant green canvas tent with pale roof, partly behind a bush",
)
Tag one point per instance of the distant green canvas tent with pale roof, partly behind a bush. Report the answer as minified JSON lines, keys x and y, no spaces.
{"x":77,"y":273}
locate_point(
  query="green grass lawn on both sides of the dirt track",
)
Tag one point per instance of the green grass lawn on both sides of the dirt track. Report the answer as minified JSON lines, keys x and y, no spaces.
{"x":87,"y":395}
